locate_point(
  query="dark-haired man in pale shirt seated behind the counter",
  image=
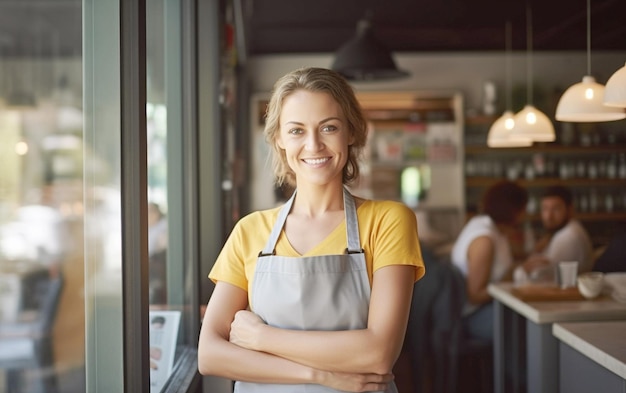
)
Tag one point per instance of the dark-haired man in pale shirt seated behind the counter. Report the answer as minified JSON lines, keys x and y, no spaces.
{"x":564,"y":237}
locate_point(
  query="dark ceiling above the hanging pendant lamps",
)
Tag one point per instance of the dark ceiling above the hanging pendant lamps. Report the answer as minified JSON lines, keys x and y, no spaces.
{"x":290,"y":27}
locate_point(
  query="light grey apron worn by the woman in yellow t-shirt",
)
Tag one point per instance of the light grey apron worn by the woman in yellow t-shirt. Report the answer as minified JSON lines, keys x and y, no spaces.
{"x":328,"y":292}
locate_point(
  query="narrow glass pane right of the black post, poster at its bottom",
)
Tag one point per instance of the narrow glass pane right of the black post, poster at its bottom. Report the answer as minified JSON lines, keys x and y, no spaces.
{"x":165,"y":188}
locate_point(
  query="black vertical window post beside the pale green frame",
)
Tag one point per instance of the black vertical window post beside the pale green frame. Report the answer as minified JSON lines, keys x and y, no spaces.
{"x":134,"y":195}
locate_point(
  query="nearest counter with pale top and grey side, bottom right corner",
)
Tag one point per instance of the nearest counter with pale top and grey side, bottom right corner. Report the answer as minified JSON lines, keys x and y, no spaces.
{"x":592,"y":356}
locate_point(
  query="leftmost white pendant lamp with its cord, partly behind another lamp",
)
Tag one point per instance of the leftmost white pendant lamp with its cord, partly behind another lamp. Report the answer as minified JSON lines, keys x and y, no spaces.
{"x":501,"y":131}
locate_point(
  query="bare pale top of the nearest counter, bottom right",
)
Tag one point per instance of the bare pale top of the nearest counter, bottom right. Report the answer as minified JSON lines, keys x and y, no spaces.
{"x":603,"y":342}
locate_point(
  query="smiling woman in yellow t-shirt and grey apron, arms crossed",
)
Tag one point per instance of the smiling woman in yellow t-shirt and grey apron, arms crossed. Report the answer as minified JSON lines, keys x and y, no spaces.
{"x":327,"y":277}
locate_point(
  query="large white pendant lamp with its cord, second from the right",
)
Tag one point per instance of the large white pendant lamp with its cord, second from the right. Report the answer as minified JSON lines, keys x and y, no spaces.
{"x":584,"y":102}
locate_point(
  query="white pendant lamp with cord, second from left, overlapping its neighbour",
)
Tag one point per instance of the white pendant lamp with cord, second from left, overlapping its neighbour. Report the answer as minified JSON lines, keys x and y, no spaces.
{"x":530,"y":122}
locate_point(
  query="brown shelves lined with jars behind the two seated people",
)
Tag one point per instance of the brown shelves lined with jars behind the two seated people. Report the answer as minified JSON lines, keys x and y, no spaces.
{"x":590,"y":159}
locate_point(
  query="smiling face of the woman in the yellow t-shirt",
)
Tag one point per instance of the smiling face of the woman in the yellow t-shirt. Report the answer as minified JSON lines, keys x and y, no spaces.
{"x":315,"y":137}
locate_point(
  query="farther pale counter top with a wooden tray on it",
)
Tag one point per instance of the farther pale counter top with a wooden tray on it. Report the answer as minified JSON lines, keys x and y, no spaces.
{"x":542,"y":312}
